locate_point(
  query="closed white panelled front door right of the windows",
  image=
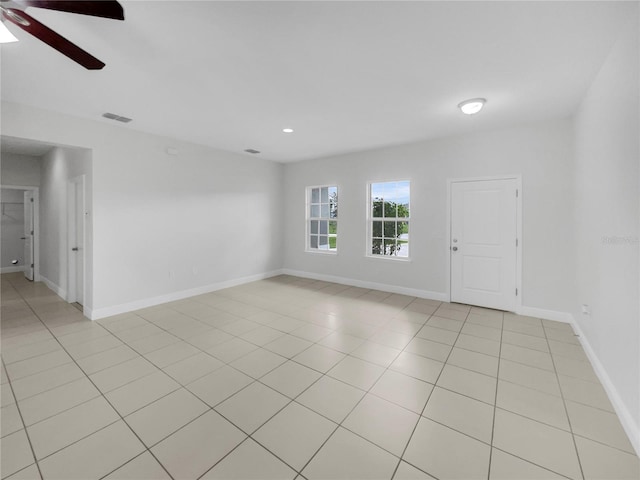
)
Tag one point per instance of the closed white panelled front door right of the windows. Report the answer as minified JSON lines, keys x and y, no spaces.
{"x":484,"y":241}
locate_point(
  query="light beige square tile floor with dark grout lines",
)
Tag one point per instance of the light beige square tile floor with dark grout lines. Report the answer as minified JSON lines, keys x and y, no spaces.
{"x":293,"y":378}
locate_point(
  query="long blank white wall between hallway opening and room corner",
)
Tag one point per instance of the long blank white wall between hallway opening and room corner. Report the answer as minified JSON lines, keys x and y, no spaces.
{"x":165,"y":225}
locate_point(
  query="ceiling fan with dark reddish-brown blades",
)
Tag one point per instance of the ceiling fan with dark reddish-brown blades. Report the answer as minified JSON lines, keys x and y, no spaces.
{"x":13,"y":11}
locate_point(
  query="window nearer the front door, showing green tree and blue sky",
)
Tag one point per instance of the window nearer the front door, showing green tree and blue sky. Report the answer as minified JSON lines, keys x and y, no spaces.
{"x":389,"y":219}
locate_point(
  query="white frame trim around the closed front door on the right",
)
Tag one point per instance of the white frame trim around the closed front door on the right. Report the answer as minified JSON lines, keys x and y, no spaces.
{"x":518,"y":179}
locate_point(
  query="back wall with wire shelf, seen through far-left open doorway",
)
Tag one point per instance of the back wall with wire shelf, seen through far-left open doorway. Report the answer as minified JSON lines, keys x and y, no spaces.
{"x":12,"y":229}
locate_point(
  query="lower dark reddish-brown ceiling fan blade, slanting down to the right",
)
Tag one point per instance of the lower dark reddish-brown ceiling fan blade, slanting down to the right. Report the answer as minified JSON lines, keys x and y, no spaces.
{"x":51,"y":38}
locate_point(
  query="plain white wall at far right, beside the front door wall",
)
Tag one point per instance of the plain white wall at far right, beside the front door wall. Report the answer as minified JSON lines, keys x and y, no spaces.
{"x":607,"y":223}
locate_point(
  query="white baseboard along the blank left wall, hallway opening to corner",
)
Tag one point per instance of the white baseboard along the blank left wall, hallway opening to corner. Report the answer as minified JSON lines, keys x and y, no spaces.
{"x":103,"y":312}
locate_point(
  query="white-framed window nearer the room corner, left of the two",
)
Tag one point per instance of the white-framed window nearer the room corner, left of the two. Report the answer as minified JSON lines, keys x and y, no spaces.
{"x":322,"y":219}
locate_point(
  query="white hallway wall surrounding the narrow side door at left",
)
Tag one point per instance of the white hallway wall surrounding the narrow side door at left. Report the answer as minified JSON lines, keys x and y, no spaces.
{"x":59,"y":166}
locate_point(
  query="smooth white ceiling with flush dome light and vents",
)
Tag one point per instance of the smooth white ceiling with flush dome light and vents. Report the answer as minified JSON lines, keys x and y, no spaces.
{"x":346,"y":76}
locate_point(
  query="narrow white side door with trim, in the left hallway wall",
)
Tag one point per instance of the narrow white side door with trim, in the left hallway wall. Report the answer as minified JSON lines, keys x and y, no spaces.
{"x":76,"y":240}
